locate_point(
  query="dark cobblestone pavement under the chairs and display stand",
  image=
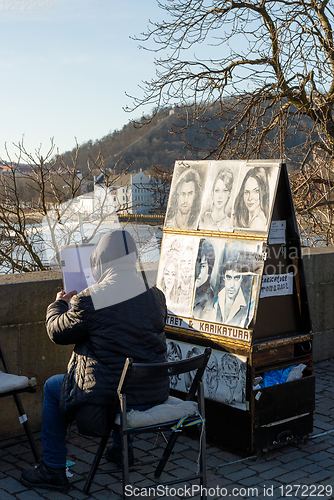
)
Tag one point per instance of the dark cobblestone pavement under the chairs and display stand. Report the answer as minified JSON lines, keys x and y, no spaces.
{"x":299,"y":470}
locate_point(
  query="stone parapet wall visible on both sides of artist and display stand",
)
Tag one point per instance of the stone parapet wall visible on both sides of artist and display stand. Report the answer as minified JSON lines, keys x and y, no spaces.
{"x":24,"y":299}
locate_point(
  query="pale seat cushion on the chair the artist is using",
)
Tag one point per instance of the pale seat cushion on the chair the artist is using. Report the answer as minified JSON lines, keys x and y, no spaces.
{"x":172,"y":409}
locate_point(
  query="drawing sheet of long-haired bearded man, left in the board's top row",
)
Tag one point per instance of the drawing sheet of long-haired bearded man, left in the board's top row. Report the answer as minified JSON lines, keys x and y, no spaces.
{"x":186,"y":195}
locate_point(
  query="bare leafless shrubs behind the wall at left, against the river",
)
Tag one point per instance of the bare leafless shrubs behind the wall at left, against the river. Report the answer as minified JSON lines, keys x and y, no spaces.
{"x":43,"y":206}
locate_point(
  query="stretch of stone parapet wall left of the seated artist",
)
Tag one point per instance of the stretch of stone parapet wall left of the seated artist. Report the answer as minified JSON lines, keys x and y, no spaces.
{"x":29,"y":351}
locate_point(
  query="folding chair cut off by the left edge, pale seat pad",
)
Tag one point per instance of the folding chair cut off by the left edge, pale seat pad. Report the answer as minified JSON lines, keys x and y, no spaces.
{"x":15,"y":385}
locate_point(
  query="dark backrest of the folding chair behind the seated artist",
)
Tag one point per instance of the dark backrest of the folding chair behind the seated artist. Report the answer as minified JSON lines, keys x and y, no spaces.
{"x":141,"y":371}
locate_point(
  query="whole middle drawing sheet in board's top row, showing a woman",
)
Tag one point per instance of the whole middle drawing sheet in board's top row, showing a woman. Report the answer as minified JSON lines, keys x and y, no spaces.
{"x":218,"y":197}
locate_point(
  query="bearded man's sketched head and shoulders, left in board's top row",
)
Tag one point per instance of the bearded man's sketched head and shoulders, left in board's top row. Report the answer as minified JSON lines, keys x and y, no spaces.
{"x":185,"y":201}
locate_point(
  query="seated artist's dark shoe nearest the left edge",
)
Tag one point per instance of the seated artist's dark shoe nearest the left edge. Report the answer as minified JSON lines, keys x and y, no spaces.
{"x":45,"y":477}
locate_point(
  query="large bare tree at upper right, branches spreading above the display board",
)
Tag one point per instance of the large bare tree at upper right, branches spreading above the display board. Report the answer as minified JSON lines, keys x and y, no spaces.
{"x":264,"y":87}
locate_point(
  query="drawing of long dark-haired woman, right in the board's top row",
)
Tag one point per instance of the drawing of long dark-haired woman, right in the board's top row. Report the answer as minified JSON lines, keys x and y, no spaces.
{"x":253,"y":203}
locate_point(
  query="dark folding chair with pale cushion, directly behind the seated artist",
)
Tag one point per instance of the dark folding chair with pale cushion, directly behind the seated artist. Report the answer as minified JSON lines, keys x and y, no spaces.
{"x":174,"y":415}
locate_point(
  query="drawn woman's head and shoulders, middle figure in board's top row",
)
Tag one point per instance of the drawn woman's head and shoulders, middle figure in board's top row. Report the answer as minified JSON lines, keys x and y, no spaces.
{"x":217,"y":217}
